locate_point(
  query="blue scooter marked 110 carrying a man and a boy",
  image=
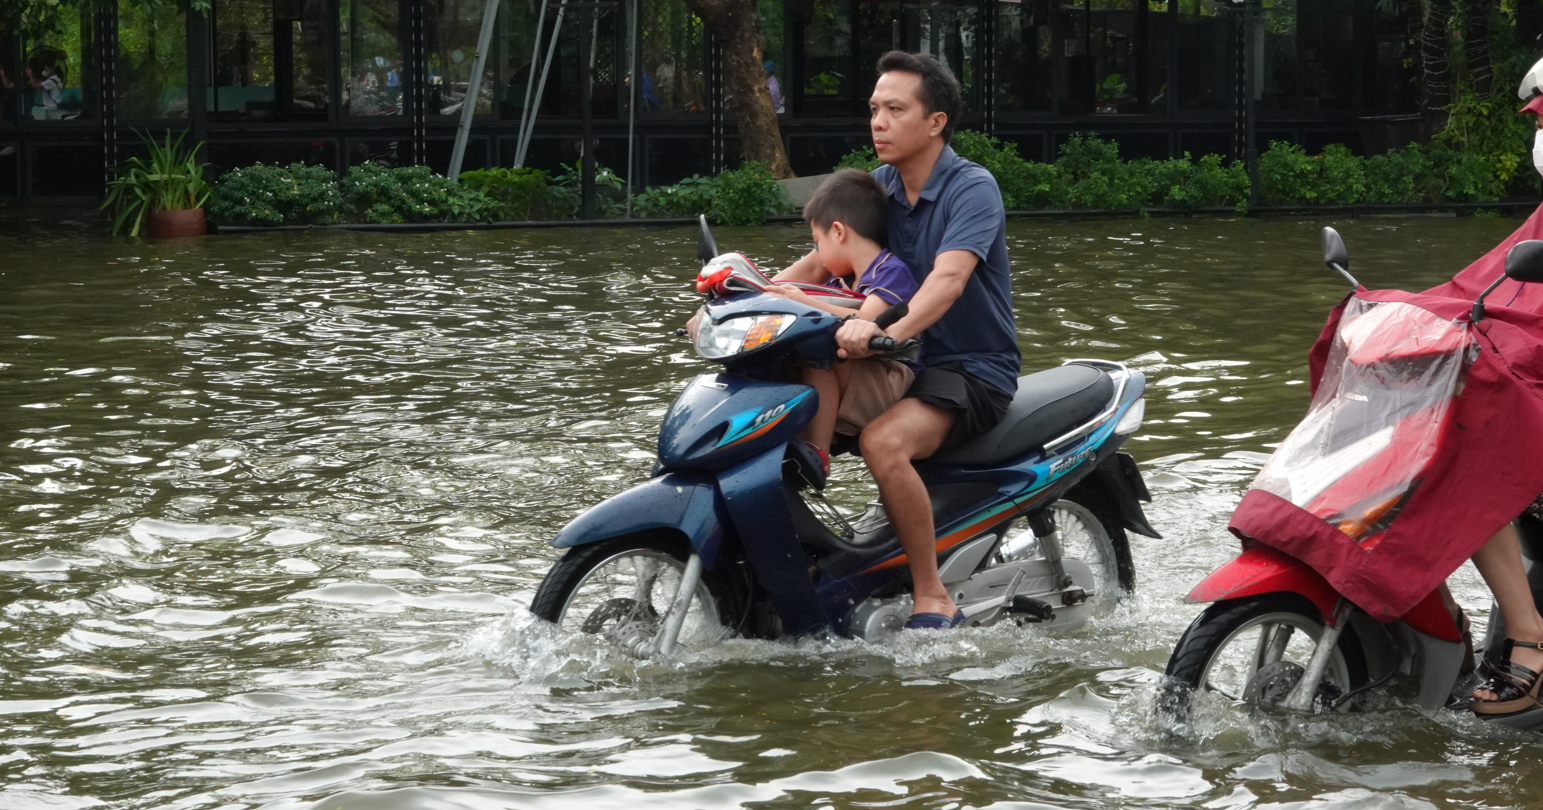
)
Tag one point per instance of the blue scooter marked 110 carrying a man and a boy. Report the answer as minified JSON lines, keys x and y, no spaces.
{"x":732,"y":536}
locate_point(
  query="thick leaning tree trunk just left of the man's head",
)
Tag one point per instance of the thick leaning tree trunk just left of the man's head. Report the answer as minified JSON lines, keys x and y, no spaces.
{"x":734,"y":22}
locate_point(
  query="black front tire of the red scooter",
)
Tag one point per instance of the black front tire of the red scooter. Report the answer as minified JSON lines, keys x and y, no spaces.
{"x":1210,"y":632}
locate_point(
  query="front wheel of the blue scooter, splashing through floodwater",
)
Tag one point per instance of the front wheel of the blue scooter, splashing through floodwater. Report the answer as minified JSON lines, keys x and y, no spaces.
{"x":623,"y":589}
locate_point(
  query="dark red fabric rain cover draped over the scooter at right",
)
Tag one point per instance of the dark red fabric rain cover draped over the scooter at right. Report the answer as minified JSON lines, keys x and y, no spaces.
{"x":1488,"y":467}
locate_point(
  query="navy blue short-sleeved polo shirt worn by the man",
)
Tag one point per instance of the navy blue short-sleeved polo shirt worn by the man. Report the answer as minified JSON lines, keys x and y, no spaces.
{"x":961,"y":209}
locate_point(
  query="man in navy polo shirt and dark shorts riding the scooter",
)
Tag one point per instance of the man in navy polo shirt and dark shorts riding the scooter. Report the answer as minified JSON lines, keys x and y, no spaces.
{"x":948,"y":224}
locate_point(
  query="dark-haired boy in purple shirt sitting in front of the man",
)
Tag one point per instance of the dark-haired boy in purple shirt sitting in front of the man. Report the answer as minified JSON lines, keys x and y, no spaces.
{"x":848,"y":217}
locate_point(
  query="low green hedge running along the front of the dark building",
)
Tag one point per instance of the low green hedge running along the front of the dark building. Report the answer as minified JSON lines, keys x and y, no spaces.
{"x":1089,"y":175}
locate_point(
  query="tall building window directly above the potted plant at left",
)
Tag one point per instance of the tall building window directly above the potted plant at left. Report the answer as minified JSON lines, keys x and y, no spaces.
{"x":152,"y":78}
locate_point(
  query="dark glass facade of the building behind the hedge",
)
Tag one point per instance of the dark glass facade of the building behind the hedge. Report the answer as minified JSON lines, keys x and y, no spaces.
{"x":348,"y":81}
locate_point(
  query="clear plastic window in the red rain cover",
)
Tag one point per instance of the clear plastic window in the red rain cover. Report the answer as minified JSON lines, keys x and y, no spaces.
{"x":1380,"y":411}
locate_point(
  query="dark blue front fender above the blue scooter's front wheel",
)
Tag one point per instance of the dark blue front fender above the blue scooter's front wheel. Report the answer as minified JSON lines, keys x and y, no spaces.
{"x":686,"y":502}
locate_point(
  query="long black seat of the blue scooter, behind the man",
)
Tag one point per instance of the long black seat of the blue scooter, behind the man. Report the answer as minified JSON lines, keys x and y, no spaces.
{"x":1048,"y":405}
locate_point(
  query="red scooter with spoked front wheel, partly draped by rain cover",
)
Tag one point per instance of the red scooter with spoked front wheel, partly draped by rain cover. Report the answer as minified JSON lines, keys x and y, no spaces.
{"x":1277,"y":633}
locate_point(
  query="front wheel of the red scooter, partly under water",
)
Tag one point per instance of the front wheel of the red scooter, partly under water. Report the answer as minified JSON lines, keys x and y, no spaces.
{"x":1231,"y":641}
